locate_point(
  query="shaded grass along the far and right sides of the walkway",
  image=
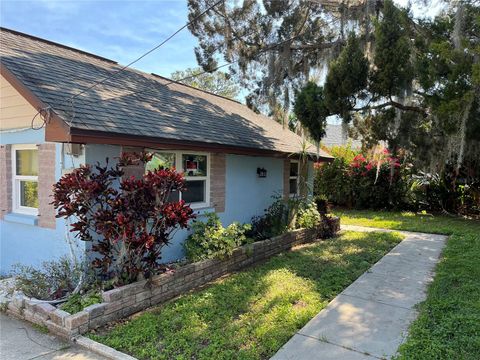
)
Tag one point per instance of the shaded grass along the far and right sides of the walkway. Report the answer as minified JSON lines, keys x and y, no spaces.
{"x":448,"y":326}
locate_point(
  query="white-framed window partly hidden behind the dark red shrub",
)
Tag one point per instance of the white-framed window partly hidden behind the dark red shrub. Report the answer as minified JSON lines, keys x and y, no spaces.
{"x":195,"y":167}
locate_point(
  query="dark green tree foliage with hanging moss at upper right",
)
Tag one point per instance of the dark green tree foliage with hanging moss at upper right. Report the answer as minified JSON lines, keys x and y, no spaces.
{"x":420,"y":95}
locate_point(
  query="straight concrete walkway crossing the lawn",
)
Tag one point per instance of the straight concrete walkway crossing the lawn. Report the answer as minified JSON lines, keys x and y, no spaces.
{"x":370,"y":318}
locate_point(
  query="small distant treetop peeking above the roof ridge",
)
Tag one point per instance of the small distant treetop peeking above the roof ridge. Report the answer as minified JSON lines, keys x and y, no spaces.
{"x":219,"y":83}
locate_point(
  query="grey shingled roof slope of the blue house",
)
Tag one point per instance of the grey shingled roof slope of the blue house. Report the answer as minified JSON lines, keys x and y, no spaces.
{"x":123,"y":105}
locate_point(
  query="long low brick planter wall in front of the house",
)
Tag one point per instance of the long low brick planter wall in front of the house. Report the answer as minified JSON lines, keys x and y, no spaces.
{"x":127,"y":300}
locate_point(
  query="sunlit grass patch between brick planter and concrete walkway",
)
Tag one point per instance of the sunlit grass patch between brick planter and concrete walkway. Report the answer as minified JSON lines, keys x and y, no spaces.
{"x":251,"y":314}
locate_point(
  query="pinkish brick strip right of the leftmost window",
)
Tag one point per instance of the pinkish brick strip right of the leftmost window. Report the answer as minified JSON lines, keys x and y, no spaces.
{"x":46,"y":179}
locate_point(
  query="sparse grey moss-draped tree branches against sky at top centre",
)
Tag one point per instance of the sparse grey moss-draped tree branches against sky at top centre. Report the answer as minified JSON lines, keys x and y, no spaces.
{"x":274,"y":45}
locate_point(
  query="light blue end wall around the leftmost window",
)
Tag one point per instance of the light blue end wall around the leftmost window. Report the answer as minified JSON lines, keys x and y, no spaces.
{"x":31,"y":244}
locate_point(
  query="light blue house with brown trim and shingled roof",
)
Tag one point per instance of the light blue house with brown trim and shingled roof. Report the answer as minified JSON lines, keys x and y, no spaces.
{"x":219,"y":143}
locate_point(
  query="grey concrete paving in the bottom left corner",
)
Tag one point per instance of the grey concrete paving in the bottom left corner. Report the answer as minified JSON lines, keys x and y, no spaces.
{"x":20,"y":341}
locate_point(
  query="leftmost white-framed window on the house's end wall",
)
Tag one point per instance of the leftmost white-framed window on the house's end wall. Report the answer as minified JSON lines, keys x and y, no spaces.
{"x":25,"y":179}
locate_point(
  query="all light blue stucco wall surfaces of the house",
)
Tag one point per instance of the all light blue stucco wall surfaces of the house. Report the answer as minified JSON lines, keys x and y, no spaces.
{"x":246,"y":195}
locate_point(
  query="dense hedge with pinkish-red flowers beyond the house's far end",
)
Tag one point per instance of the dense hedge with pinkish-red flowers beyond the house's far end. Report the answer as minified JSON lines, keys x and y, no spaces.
{"x":381,"y":181}
